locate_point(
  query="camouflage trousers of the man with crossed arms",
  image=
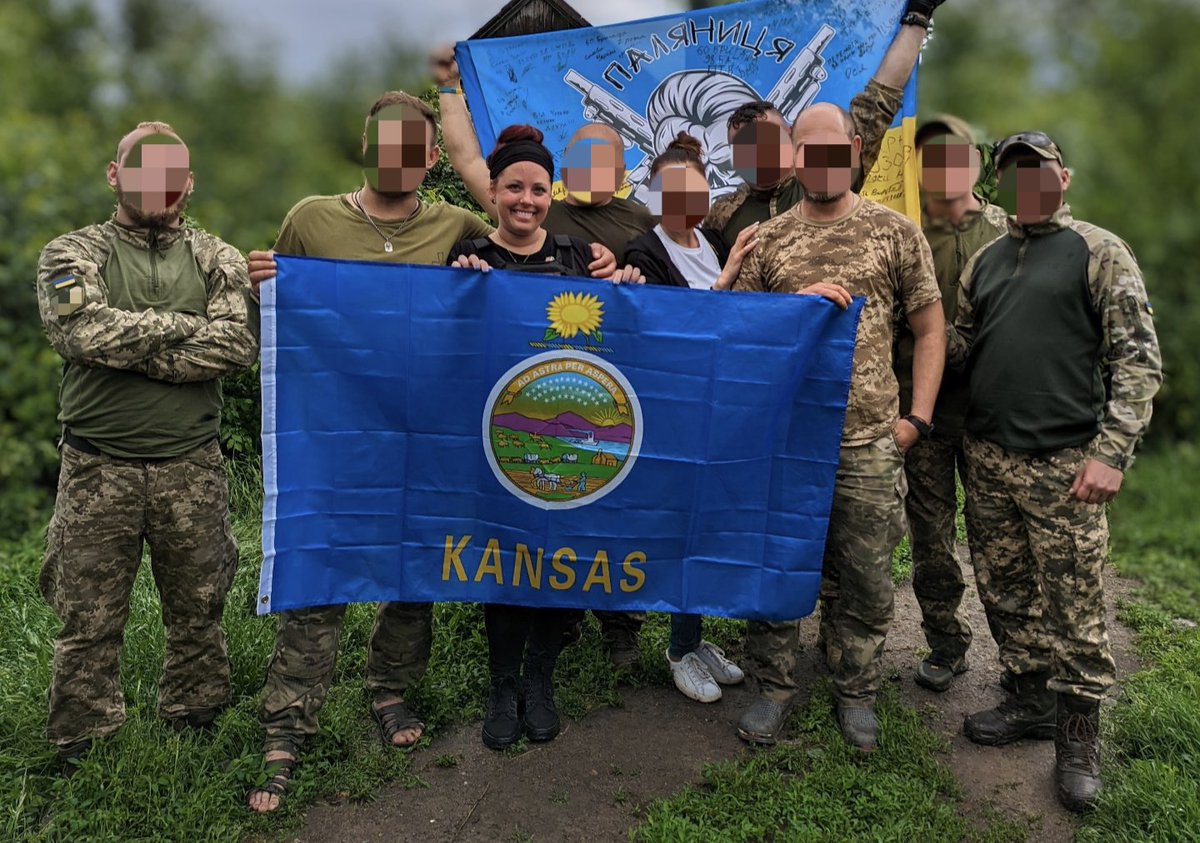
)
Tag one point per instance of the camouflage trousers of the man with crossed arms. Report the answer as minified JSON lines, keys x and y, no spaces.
{"x":106,"y":510}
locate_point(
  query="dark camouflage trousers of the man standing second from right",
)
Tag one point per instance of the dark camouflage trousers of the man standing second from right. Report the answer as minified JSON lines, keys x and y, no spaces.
{"x":932,"y":506}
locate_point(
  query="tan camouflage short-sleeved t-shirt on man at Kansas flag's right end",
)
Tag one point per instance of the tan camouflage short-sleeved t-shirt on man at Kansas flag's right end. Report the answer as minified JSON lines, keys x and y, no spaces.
{"x":873,"y":252}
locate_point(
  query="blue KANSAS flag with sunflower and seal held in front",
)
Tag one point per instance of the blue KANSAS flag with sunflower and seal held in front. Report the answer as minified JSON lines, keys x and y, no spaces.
{"x":437,"y":434}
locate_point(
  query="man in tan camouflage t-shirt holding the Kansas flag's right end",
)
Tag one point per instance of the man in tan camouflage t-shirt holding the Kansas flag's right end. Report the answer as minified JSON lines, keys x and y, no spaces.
{"x":837,"y":244}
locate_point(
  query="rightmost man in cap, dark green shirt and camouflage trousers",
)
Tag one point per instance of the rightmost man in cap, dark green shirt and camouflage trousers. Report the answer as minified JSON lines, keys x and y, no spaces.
{"x":1055,"y":330}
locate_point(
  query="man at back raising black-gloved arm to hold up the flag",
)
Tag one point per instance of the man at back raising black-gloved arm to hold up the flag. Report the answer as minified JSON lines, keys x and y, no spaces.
{"x":757,"y":128}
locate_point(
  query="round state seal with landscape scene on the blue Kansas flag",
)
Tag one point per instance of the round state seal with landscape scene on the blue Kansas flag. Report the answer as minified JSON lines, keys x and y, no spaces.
{"x":562,"y":429}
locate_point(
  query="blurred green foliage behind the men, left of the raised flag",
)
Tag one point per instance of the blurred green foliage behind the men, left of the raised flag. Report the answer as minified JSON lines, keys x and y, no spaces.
{"x":73,"y":87}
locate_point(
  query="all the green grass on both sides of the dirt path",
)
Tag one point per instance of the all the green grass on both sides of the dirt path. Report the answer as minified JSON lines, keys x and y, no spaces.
{"x":149,"y":784}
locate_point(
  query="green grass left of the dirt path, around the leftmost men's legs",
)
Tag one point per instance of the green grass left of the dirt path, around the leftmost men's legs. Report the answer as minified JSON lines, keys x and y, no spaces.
{"x":148,"y":784}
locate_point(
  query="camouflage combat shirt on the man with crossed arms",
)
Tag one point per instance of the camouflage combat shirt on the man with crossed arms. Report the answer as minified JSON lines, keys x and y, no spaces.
{"x":147,"y":322}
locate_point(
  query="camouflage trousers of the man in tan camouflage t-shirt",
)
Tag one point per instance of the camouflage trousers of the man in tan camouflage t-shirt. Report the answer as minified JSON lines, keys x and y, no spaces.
{"x":866,"y":524}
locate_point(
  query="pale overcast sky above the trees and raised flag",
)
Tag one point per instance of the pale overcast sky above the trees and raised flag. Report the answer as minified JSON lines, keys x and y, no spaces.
{"x":310,"y":34}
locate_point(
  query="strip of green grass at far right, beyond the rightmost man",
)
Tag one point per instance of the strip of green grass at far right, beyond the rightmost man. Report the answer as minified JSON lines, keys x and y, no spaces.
{"x":1153,"y":738}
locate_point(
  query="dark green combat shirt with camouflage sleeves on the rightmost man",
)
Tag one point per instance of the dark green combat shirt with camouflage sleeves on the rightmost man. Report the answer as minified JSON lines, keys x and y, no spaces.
{"x":1057,"y":333}
